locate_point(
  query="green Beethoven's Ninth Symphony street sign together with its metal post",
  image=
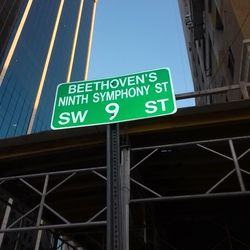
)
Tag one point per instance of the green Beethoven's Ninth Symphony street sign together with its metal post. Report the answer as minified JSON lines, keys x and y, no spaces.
{"x":110,"y":101}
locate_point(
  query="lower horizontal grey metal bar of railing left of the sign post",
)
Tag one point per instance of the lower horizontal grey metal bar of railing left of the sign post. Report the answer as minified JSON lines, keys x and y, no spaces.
{"x":57,"y":226}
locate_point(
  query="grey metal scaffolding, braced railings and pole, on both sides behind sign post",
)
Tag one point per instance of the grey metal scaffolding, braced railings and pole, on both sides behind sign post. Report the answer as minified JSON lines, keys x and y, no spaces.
{"x":124,"y":182}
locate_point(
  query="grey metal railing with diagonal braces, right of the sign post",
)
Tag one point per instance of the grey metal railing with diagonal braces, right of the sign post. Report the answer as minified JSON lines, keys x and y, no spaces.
{"x":234,"y":158}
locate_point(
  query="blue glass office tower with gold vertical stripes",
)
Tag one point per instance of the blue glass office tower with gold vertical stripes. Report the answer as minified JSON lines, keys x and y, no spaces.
{"x":43,"y":43}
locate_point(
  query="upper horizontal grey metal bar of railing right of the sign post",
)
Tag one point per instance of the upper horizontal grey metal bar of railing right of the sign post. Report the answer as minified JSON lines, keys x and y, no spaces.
{"x":190,"y":143}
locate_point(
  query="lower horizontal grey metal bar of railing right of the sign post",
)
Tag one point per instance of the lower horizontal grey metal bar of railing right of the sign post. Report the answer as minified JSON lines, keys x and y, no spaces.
{"x":191,"y":197}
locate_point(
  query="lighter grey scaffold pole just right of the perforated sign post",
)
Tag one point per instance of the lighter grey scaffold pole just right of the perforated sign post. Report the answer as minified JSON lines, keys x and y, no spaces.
{"x":125,"y":195}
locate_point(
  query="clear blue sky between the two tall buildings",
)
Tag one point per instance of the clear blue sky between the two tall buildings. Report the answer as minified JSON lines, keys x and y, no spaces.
{"x":136,"y":35}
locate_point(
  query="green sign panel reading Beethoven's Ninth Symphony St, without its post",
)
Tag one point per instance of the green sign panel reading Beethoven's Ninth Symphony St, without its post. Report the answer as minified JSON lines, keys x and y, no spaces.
{"x":111,"y":100}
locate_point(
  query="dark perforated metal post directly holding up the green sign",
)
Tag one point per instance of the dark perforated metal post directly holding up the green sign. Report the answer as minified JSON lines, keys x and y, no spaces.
{"x":114,"y":222}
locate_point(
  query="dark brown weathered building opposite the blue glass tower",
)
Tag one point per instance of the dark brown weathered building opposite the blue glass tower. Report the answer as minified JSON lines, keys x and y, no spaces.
{"x":217,"y":35}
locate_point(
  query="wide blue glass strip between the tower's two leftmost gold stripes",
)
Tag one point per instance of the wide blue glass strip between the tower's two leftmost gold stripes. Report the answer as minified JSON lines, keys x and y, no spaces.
{"x":28,"y":60}
